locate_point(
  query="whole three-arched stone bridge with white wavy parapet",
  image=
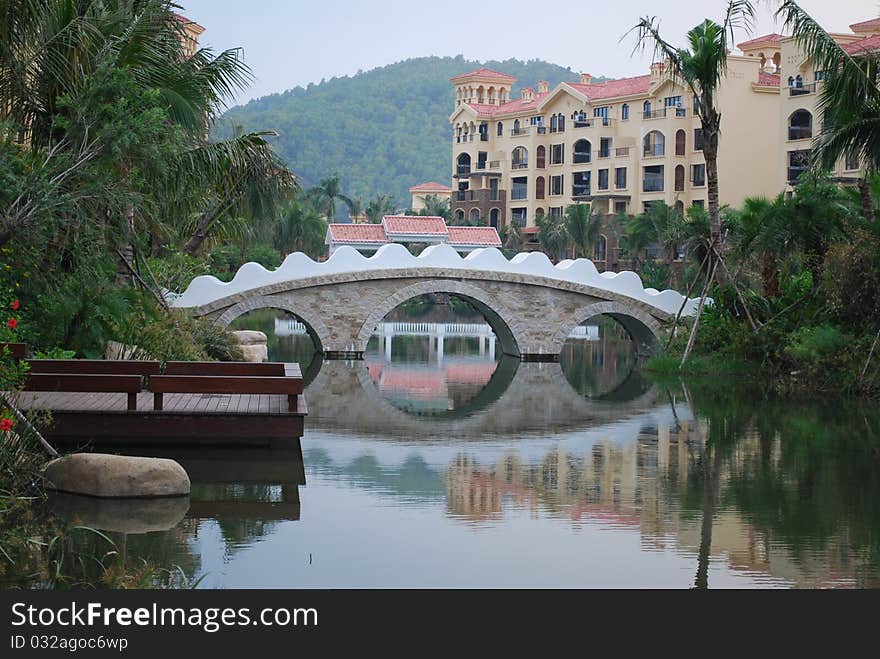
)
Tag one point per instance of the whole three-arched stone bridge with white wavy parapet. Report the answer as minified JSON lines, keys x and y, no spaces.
{"x":531,"y":304}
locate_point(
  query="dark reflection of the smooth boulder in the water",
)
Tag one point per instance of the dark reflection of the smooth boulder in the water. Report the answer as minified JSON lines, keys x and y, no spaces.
{"x":120,"y":515}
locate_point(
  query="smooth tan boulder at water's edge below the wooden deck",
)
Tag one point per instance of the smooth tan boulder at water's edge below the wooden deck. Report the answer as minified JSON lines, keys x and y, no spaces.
{"x":116,"y":476}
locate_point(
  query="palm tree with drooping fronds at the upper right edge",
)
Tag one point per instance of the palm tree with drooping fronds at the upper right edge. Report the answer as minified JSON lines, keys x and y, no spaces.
{"x":849,"y":101}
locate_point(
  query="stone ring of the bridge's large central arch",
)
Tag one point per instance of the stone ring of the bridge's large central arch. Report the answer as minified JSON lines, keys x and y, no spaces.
{"x":502,"y":324}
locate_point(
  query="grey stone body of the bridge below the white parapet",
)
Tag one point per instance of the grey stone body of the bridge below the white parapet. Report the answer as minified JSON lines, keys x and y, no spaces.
{"x":531,"y":316}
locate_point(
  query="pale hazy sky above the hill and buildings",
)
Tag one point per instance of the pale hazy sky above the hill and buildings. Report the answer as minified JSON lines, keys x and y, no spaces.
{"x":294,"y":42}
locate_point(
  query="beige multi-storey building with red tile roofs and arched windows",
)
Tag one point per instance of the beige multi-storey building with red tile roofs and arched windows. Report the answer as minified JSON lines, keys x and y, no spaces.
{"x":623,"y":144}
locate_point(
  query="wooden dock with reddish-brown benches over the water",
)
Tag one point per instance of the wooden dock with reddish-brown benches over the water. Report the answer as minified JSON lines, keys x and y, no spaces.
{"x":211,"y":405}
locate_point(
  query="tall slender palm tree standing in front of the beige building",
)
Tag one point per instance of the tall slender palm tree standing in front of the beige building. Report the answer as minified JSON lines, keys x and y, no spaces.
{"x":701,"y":66}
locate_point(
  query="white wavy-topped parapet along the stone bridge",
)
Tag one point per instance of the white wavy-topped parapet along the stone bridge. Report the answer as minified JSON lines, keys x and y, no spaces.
{"x":439,"y":260}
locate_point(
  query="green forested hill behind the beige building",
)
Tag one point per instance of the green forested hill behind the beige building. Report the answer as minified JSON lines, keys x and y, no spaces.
{"x":383,"y":130}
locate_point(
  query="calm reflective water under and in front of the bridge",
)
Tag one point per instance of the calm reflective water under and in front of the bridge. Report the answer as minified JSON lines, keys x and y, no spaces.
{"x":440,"y":462}
